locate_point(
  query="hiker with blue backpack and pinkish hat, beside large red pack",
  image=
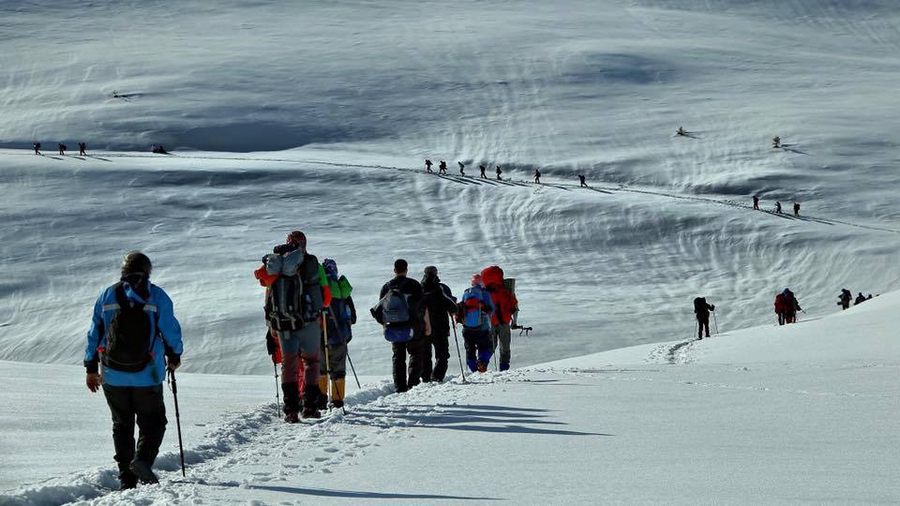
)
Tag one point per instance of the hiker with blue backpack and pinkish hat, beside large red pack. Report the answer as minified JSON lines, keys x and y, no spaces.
{"x":474,"y":312}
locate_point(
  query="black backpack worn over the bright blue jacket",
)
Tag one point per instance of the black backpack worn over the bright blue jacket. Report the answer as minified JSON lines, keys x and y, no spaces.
{"x":129,"y":340}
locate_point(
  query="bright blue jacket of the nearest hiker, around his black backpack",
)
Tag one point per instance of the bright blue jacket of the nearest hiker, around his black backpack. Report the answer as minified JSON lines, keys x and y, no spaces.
{"x":163,"y":325}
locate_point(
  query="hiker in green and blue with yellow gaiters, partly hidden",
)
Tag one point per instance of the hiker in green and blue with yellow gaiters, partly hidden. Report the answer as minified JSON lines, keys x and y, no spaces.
{"x":339,"y":318}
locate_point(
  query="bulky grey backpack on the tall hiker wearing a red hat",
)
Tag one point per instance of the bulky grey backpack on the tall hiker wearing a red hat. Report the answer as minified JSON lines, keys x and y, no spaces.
{"x":288,"y":305}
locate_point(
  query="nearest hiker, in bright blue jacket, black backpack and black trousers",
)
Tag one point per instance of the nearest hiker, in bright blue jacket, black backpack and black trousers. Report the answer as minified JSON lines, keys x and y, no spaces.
{"x":133,"y":340}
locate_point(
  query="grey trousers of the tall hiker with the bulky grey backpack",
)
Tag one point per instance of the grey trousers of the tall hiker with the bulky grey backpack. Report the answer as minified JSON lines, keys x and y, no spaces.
{"x":296,"y":346}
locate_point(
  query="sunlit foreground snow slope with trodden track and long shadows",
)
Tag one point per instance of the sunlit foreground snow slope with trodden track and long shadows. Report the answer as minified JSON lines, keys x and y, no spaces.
{"x":799,"y":414}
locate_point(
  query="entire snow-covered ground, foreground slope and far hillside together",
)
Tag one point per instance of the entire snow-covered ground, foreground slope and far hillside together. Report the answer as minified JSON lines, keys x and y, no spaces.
{"x":318,"y":116}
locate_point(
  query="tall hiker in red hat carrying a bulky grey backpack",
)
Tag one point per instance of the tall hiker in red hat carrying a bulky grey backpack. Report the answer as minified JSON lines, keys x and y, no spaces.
{"x":296,"y":292}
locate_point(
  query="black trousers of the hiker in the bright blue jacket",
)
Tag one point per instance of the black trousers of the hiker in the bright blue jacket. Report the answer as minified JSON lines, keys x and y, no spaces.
{"x":146,"y":405}
